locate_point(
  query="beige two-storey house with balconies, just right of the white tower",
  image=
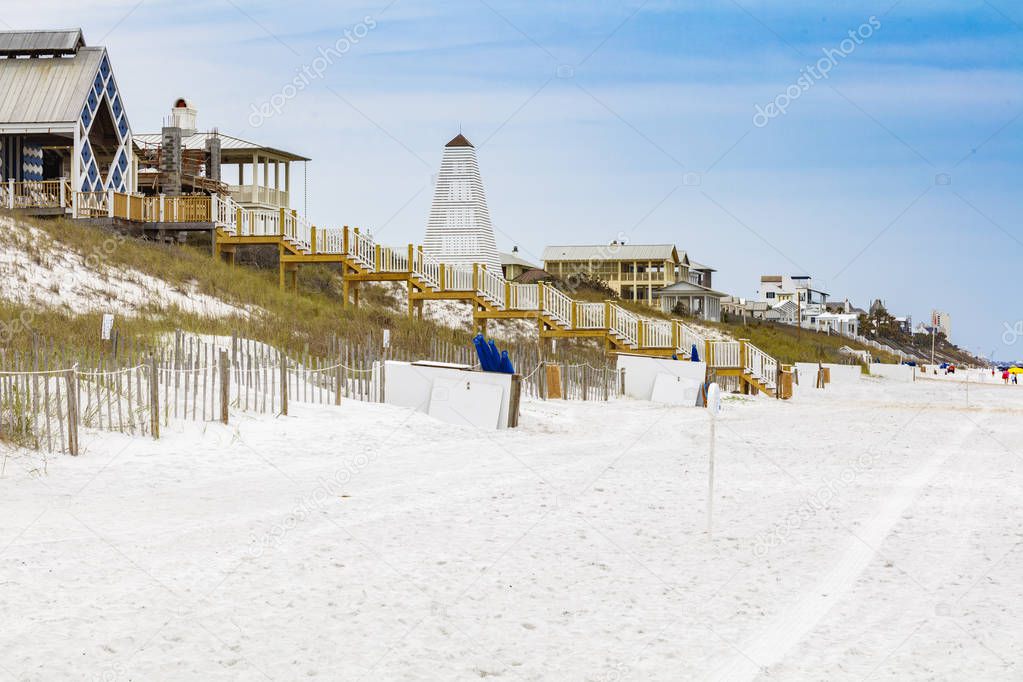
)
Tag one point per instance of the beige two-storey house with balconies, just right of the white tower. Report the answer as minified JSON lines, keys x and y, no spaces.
{"x":634,"y":271}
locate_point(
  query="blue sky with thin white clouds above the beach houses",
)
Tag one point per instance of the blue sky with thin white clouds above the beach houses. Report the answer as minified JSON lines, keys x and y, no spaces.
{"x":897,"y":177}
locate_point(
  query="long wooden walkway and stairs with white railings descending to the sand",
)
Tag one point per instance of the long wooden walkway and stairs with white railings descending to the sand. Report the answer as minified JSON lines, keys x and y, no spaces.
{"x":363,"y":260}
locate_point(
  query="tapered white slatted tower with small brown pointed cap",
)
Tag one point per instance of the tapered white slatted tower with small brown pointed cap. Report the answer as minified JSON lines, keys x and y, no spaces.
{"x":460,"y":232}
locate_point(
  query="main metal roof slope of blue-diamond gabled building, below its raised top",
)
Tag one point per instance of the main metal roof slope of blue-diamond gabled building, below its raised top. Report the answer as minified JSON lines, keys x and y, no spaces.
{"x":48,"y":90}
